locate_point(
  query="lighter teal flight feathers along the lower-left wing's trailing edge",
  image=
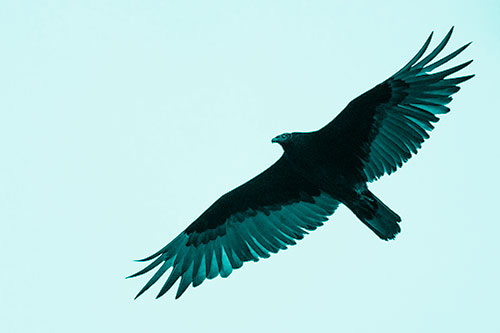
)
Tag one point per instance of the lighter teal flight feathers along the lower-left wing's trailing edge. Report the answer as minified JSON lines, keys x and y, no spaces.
{"x":255,"y":237}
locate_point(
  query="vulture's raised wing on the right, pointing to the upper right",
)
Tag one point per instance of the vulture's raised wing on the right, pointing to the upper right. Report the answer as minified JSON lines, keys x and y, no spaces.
{"x":380,"y":130}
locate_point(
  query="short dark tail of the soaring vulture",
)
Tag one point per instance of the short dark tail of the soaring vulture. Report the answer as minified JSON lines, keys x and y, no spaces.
{"x":376,"y":215}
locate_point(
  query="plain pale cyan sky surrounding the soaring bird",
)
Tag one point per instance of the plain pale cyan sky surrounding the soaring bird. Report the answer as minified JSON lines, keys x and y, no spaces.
{"x":122,"y":121}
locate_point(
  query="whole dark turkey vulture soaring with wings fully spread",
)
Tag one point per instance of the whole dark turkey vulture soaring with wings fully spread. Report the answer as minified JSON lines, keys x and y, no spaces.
{"x":374,"y":135}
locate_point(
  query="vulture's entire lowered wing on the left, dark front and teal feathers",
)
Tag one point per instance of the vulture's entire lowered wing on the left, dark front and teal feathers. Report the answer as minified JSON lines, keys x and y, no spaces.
{"x":262,"y":216}
